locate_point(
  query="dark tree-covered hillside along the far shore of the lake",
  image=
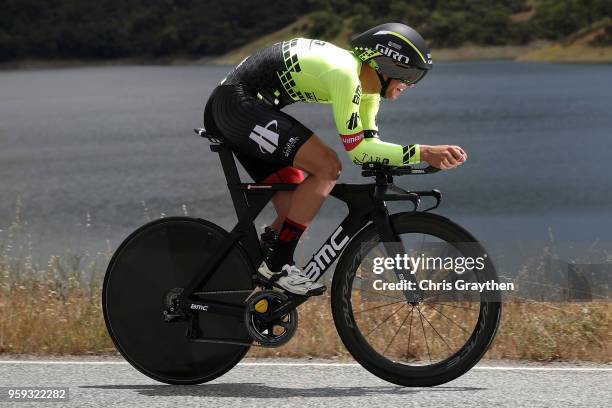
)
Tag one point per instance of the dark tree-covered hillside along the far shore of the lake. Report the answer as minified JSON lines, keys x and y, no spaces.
{"x":114,"y":30}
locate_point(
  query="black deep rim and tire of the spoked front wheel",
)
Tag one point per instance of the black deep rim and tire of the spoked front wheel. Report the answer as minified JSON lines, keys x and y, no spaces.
{"x":362,"y":350}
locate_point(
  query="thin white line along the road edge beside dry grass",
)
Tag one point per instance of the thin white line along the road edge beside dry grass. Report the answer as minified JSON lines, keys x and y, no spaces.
{"x":500,"y":368}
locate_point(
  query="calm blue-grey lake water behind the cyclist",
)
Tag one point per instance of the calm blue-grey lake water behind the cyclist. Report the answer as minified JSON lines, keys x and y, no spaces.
{"x":91,"y":153}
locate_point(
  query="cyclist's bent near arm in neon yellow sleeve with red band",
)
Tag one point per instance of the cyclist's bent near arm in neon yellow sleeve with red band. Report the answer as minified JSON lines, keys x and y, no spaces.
{"x":363,"y":146}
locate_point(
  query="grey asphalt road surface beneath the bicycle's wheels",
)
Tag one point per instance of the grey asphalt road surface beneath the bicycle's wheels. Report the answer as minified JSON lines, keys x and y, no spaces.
{"x":300,"y":383}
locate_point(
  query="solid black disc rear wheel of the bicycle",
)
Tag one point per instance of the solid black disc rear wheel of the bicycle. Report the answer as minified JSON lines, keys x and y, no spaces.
{"x":160,"y":256}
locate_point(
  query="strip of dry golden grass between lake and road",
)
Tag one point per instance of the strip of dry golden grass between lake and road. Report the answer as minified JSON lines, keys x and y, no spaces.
{"x":56,"y":309}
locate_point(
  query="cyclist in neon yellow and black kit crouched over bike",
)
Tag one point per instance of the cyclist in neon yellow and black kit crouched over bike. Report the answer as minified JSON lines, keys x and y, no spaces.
{"x":245,"y":111}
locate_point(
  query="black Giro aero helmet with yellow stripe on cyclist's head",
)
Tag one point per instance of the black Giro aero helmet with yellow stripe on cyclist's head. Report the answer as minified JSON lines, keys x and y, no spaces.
{"x":395,"y":50}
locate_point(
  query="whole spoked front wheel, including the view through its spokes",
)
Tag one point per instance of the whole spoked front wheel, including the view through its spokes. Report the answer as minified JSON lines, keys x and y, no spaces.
{"x":415,"y":337}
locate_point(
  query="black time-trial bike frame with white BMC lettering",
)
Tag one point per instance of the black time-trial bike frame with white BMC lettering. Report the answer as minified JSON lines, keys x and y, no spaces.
{"x":366,"y":203}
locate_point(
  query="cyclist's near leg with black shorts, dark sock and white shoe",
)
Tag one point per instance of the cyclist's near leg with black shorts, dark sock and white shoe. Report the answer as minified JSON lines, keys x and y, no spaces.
{"x":266,"y":140}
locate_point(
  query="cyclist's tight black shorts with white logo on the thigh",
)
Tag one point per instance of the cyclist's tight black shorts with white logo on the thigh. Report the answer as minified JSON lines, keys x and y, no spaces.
{"x":263,"y":138}
